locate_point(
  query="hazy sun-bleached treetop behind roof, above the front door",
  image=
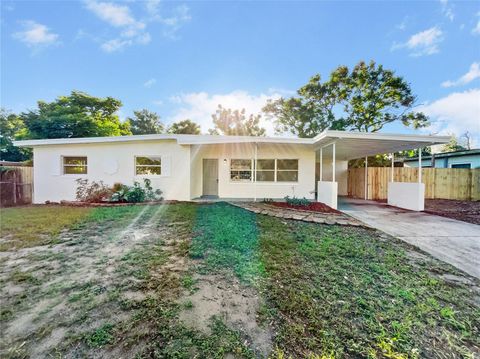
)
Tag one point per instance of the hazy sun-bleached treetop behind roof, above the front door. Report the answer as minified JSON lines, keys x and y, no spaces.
{"x":235,"y":123}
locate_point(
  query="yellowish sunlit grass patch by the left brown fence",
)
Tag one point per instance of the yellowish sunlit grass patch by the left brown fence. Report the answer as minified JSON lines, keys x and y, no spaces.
{"x":37,"y":225}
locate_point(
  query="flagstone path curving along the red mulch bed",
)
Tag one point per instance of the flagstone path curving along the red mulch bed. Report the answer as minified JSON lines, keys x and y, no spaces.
{"x":299,"y":215}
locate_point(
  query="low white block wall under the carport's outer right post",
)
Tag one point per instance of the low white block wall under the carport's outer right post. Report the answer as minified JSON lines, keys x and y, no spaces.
{"x":408,"y":195}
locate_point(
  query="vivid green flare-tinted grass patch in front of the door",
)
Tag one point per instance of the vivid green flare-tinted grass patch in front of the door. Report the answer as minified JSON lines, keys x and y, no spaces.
{"x":226,"y":237}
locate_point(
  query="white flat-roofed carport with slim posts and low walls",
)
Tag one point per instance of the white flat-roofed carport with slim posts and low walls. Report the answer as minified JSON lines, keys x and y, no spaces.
{"x":335,"y":148}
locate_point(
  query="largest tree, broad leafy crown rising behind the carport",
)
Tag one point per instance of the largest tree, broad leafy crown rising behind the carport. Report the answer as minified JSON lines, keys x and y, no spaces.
{"x":364,"y":99}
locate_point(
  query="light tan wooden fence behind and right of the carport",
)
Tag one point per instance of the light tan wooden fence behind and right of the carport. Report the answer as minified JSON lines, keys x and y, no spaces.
{"x":445,"y":183}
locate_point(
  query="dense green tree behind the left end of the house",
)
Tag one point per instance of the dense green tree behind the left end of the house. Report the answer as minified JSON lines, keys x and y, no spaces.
{"x":77,"y":115}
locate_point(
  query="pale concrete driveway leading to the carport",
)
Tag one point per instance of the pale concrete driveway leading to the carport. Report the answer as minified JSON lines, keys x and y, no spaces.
{"x":452,"y":241}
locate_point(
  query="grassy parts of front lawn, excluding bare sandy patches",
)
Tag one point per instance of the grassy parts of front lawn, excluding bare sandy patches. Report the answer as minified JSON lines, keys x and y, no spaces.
{"x":330,"y":291}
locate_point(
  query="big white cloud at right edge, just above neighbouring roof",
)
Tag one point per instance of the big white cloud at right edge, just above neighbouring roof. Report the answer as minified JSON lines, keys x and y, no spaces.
{"x":455,"y":114}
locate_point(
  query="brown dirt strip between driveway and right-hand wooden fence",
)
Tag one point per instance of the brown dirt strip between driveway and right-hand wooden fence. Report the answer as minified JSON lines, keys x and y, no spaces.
{"x":467,"y":211}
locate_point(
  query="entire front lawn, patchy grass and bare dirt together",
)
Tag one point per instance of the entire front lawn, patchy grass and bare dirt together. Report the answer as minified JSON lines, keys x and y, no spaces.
{"x":215,"y":281}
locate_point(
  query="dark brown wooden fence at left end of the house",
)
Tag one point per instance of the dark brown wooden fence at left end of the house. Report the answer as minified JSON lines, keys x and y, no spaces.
{"x":16,"y":186}
